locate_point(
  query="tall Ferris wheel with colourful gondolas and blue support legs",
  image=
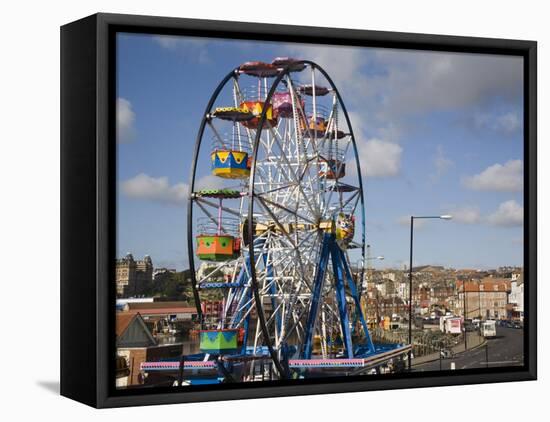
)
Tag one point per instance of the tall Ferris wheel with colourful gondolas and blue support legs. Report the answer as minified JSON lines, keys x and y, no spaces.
{"x":275,"y":217}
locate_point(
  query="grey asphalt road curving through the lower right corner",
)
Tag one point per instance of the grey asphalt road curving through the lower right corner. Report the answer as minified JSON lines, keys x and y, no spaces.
{"x":506,"y":349}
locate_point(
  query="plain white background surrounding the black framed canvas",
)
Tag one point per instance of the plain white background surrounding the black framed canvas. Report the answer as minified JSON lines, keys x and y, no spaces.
{"x":29,"y":237}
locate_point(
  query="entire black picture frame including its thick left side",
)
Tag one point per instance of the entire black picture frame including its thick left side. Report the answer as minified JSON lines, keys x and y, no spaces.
{"x":88,"y":214}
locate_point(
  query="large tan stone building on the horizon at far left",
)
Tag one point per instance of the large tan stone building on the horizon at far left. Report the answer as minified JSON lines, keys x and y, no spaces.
{"x":133,"y":278}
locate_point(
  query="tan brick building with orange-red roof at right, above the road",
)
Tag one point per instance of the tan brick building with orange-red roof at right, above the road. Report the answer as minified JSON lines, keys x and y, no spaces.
{"x":487,"y":298}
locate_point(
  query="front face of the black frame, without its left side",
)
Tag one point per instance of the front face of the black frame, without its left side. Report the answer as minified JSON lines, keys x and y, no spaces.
{"x":105,"y":193}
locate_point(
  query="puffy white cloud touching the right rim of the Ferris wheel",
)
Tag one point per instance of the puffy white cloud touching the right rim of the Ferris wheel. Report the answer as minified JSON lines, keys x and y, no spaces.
{"x":379,"y":158}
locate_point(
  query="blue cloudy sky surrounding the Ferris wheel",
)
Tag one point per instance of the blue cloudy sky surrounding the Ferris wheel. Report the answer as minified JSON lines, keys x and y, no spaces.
{"x":437,"y":133}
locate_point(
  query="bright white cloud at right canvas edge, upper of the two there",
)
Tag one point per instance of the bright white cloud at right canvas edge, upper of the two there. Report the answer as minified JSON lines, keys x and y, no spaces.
{"x":506,"y":177}
